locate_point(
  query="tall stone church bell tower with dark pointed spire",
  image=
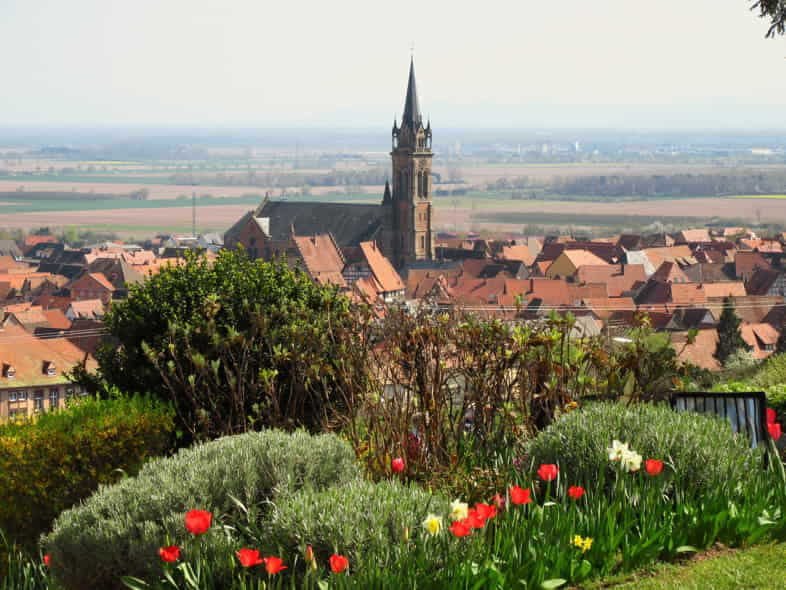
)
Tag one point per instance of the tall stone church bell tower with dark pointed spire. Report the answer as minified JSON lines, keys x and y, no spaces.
{"x":411,"y":236}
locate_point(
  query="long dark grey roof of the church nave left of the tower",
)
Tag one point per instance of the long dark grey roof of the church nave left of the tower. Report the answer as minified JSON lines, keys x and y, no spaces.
{"x":349,"y":223}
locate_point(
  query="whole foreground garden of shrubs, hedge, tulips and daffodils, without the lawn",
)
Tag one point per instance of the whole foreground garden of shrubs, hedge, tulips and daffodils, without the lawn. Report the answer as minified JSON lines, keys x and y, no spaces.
{"x":275,"y":454}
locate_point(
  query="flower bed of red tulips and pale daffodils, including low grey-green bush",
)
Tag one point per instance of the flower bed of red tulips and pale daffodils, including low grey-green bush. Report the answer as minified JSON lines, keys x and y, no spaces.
{"x":547,"y":528}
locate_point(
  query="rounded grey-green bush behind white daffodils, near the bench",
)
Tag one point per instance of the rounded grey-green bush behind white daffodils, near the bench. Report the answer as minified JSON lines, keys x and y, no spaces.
{"x":702,"y":451}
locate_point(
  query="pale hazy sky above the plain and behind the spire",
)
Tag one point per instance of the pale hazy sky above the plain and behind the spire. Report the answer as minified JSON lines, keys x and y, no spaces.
{"x":531,"y":63}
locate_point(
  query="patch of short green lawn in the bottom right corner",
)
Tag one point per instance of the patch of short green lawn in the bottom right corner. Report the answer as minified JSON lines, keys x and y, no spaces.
{"x":759,"y":568}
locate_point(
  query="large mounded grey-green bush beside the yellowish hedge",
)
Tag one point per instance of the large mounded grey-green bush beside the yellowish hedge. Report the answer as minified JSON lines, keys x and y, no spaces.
{"x":119,"y":529}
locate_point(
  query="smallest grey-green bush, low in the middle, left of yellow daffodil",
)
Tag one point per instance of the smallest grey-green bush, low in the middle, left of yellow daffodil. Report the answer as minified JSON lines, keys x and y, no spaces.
{"x":359,"y":519}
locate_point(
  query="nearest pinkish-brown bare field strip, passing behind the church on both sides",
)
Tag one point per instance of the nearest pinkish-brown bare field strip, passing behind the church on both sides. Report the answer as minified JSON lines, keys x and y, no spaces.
{"x":148,"y":218}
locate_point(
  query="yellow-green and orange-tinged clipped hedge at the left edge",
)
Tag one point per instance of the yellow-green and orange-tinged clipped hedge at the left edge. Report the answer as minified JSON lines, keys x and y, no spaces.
{"x":52,"y":463}
